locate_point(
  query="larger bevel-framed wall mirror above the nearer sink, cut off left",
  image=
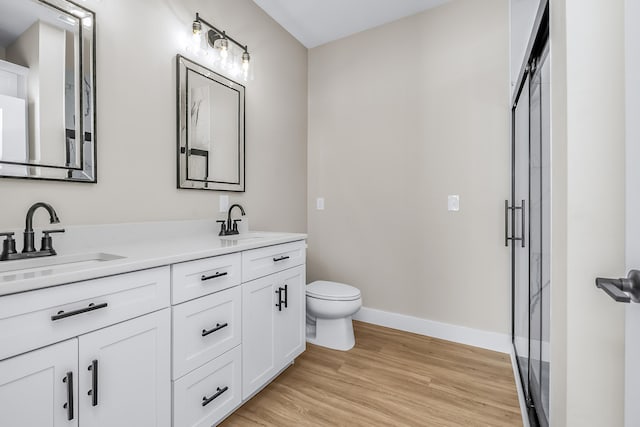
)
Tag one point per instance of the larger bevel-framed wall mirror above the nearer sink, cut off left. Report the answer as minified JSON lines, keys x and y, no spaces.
{"x":47,"y":90}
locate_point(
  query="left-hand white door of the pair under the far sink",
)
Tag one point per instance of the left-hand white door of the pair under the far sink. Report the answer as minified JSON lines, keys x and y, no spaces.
{"x":258,"y":311}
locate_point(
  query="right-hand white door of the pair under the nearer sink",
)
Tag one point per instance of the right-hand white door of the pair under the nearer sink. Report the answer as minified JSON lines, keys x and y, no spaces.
{"x":125,"y":373}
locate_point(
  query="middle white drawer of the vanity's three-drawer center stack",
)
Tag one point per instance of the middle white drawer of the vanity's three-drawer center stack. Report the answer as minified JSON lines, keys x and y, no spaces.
{"x":205,"y":328}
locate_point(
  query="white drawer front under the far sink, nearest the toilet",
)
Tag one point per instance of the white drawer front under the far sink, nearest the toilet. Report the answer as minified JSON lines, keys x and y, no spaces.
{"x":271,"y":259}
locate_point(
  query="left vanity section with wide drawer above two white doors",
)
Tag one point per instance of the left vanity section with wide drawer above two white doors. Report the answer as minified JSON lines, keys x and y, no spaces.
{"x":112,"y":366}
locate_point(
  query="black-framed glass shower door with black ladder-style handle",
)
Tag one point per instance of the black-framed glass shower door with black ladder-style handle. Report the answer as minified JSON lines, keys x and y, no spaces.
{"x":528,"y":230}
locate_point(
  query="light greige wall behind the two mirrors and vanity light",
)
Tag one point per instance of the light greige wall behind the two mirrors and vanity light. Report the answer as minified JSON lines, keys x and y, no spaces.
{"x":137,"y":44}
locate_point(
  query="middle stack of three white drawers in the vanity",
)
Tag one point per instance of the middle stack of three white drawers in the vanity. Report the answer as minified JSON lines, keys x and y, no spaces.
{"x":207,"y":335}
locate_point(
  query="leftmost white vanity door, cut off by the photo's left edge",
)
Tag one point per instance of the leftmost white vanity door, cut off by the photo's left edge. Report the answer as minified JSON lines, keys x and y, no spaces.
{"x":40,"y":388}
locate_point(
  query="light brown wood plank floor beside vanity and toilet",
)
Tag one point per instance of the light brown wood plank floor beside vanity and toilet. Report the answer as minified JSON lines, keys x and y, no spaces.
{"x":390,"y":378}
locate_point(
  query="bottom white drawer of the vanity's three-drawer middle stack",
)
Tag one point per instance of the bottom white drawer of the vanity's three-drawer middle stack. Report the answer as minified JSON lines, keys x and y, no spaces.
{"x":193,"y":405}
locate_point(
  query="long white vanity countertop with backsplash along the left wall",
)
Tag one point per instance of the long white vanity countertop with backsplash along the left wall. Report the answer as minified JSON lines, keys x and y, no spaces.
{"x":150,"y":245}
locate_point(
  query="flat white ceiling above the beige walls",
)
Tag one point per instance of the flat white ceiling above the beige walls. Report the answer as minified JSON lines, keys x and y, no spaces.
{"x":316,"y":22}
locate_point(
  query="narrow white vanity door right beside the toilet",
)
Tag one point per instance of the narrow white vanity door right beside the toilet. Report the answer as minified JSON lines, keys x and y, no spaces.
{"x":289,"y":325}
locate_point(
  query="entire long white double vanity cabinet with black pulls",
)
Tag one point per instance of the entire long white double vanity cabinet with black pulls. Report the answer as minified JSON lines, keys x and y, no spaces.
{"x":183,"y":344}
